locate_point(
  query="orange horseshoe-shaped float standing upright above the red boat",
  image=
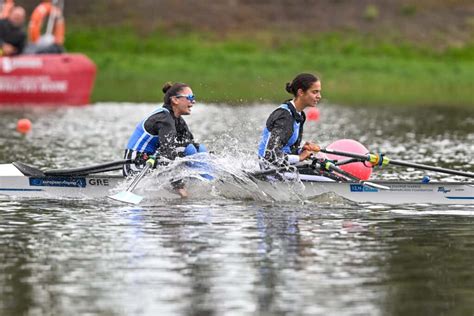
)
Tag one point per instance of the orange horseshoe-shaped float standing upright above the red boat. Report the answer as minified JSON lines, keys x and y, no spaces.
{"x":39,"y":16}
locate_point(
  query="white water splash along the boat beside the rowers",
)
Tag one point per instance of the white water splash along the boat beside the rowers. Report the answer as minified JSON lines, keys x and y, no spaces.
{"x":211,"y":177}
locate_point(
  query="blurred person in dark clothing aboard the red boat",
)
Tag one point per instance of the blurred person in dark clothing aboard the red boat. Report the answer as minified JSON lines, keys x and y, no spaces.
{"x":12,"y":35}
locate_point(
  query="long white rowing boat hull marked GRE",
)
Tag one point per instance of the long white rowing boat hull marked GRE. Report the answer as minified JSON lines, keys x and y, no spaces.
{"x":14,"y":183}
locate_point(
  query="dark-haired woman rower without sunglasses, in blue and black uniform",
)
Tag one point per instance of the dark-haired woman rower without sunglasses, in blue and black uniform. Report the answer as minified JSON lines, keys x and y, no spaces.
{"x":283,"y":133}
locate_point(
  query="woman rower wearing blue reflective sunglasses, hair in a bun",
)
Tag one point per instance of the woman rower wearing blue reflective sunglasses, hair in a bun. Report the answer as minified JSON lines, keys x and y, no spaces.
{"x":164,"y":132}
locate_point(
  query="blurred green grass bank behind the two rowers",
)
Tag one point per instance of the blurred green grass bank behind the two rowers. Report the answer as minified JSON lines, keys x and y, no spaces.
{"x":248,"y":68}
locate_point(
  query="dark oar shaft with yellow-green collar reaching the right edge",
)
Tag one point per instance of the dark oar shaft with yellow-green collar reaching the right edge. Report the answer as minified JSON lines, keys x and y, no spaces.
{"x":381,"y":160}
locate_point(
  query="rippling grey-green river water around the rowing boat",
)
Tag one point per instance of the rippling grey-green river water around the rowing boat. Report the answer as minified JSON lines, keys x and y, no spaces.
{"x":209,"y":255}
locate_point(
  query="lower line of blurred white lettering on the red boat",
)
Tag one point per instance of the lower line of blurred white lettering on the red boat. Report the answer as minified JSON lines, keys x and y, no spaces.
{"x":38,"y":84}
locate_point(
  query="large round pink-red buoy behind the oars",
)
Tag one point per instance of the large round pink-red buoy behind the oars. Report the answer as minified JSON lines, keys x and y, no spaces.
{"x":357,"y":169}
